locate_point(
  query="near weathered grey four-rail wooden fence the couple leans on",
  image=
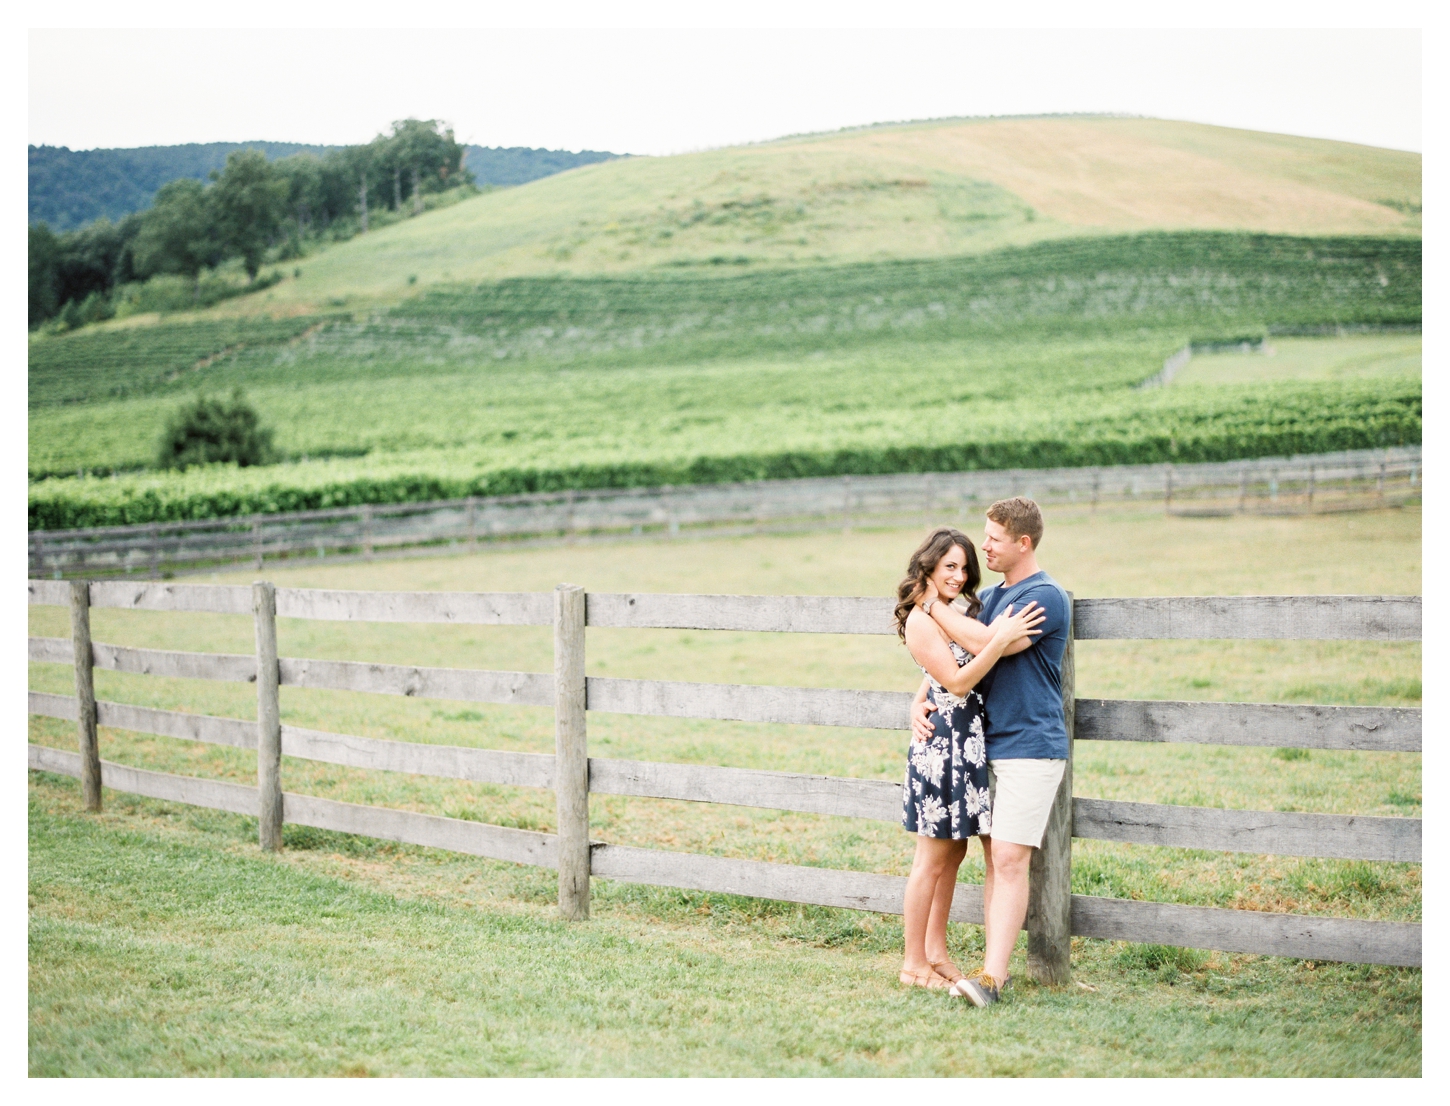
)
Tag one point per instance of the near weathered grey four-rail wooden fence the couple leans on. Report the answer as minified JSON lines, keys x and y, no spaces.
{"x":1053,"y":915}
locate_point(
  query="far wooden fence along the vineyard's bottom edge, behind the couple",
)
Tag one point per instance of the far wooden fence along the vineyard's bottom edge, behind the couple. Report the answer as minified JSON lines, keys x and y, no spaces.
{"x":1267,"y":486}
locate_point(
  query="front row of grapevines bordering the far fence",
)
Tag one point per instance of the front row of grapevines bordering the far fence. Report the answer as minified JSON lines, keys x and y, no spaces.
{"x":1172,"y":427}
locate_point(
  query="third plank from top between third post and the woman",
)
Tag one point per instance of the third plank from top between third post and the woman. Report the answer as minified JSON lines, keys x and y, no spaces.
{"x":707,"y":783}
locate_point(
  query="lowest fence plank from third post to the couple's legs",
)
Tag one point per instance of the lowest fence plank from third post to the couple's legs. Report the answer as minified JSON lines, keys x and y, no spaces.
{"x":858,"y":891}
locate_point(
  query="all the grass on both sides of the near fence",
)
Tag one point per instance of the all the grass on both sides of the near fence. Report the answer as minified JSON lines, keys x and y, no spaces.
{"x":165,"y":943}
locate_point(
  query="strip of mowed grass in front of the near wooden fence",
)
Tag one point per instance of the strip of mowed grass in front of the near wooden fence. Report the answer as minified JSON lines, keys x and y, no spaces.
{"x":165,"y":944}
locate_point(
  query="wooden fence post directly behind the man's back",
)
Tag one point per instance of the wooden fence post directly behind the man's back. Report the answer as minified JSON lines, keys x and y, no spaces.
{"x":1051,"y":878}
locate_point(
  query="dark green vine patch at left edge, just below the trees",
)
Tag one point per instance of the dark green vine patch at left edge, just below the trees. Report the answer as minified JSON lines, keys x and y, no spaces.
{"x":95,"y":366}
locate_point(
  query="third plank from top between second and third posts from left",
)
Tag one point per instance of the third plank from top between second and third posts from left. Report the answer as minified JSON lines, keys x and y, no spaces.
{"x":452,"y":762}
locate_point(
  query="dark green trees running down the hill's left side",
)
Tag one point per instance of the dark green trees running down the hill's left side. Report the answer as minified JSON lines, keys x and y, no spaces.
{"x":253,"y":211}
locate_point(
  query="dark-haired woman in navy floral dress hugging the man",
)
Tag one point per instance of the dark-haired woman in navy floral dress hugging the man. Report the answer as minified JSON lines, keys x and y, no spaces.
{"x":945,"y":797}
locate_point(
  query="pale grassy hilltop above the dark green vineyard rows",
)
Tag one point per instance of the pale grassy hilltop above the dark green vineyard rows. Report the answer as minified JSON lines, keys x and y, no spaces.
{"x":894,"y":192}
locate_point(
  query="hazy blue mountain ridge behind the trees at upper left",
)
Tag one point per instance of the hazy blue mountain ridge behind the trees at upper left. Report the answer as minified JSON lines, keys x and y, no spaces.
{"x":72,"y":188}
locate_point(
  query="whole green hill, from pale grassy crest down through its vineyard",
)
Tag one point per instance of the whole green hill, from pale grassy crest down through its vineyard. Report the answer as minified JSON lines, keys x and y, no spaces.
{"x":877,"y":301}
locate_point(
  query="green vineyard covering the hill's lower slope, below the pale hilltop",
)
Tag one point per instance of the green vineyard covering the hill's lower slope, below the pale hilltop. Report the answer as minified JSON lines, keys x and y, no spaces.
{"x":1026,"y":357}
